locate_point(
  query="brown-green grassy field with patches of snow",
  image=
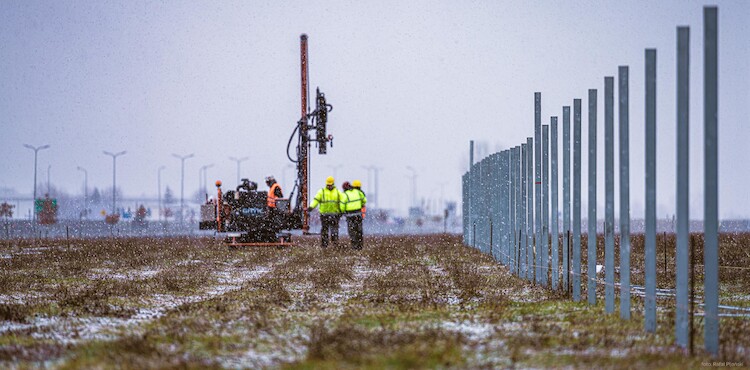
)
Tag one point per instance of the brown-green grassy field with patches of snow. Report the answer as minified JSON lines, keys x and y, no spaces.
{"x":402,"y":302}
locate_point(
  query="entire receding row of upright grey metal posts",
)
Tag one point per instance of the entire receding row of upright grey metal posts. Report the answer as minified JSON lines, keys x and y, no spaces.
{"x":506,"y":196}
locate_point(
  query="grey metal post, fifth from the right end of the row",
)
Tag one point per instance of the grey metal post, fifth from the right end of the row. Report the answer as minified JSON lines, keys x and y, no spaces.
{"x":609,"y":194}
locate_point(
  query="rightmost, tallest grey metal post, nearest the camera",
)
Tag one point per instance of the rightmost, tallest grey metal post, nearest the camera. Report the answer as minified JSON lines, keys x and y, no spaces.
{"x":711,"y":137}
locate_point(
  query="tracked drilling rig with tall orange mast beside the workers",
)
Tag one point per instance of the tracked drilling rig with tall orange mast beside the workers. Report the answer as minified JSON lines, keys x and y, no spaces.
{"x":243,"y":214}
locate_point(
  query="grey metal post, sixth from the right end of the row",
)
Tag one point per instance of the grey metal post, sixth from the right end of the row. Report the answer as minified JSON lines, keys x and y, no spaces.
{"x":591,"y":237}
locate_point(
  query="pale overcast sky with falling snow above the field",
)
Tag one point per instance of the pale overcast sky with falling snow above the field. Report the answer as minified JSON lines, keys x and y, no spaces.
{"x":411,"y":83}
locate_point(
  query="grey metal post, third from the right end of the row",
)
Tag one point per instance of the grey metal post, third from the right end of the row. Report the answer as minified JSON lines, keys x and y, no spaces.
{"x":650,"y":236}
